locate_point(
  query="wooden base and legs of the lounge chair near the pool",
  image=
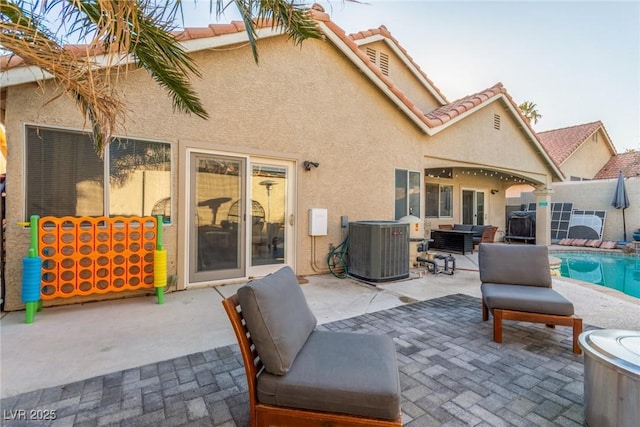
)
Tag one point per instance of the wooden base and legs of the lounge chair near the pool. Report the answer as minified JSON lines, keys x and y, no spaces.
{"x":550,"y":320}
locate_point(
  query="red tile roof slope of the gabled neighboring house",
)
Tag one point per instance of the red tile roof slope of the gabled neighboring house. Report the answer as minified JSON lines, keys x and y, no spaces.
{"x":560,"y":143}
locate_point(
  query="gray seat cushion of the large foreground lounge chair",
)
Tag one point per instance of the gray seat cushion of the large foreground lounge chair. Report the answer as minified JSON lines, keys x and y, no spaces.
{"x":339,"y":372}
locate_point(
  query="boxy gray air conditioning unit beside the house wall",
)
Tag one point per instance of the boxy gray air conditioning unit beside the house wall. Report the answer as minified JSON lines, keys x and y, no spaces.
{"x":378,"y":250}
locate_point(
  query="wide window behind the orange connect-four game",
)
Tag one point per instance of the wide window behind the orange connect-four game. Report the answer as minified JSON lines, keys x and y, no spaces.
{"x":67,"y":177}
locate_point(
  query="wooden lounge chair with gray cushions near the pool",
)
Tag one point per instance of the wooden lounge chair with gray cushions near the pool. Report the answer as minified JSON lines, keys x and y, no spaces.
{"x":516,"y":285}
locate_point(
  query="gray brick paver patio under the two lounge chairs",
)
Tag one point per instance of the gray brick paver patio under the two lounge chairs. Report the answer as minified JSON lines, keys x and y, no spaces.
{"x":451,"y":373}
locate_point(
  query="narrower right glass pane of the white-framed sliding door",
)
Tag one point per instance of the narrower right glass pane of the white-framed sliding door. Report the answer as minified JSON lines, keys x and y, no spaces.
{"x":269,"y":213}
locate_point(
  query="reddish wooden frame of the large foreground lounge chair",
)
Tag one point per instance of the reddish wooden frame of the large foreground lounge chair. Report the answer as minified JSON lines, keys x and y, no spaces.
{"x":270,"y":415}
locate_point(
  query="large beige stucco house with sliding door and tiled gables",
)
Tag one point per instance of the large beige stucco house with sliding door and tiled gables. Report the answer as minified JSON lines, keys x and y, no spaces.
{"x":350,"y":124}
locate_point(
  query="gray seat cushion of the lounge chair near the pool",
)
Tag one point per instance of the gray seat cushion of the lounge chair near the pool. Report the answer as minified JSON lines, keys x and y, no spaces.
{"x":525,"y":298}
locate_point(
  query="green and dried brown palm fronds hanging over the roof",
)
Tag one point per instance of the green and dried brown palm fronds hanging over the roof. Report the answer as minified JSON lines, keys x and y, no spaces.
{"x":138,"y":29}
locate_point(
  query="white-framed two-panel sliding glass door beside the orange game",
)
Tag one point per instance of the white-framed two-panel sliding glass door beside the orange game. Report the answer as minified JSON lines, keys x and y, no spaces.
{"x":241,"y":216}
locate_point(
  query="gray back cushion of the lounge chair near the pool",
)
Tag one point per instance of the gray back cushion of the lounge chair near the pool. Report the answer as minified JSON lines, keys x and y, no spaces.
{"x":514,"y":264}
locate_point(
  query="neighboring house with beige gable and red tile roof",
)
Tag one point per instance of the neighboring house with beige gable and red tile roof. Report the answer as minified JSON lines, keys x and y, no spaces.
{"x":581,"y":151}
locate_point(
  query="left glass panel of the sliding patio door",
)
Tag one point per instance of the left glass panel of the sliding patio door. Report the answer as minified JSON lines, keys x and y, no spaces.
{"x":218,"y":212}
